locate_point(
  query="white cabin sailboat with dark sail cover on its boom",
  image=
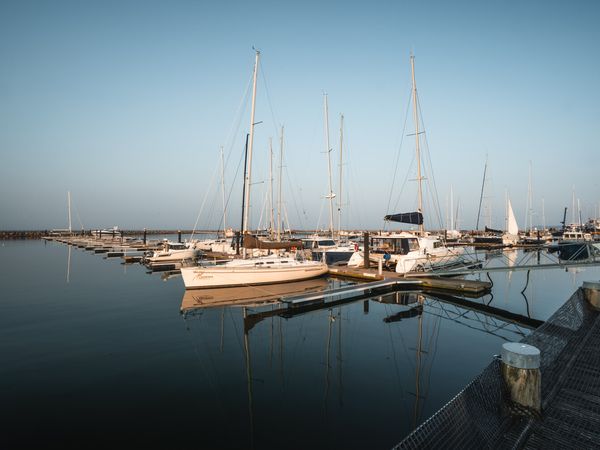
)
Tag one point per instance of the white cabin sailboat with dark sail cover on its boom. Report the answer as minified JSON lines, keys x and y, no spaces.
{"x":411,"y":252}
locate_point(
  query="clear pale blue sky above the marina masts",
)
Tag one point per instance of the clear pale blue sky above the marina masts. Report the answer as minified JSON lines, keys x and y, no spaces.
{"x":126,"y":105}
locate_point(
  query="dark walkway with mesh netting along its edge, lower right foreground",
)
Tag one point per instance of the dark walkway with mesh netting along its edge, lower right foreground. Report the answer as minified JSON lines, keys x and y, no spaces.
{"x":480,"y":416}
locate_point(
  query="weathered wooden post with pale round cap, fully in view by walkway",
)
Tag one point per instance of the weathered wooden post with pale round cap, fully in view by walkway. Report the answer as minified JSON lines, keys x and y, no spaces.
{"x":520,"y":369}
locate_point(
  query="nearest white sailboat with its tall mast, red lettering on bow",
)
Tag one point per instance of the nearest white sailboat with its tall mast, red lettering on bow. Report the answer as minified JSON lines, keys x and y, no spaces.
{"x":254,"y":270}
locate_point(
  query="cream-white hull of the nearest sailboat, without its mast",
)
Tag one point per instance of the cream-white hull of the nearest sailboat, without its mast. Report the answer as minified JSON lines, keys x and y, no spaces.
{"x":251,"y":272}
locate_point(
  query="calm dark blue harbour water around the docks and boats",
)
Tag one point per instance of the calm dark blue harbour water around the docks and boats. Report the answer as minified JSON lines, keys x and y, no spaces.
{"x":100,"y":352}
